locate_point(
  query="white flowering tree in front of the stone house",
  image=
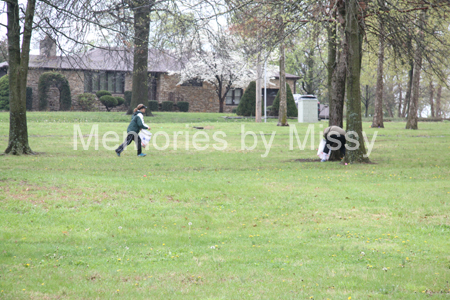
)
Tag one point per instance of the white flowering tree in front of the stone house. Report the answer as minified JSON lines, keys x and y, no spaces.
{"x":220,"y":65}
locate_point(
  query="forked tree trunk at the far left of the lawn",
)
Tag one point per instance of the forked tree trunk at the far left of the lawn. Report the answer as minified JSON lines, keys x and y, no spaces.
{"x":18,"y":72}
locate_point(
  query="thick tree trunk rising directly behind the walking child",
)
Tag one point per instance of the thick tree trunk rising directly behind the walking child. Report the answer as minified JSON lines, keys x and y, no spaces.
{"x":140,"y":59}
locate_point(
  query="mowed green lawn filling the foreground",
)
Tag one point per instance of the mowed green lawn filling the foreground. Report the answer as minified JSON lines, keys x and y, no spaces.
{"x":85,"y":224}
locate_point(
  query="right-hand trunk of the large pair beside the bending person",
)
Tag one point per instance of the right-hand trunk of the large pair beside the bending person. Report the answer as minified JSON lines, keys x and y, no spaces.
{"x":356,"y":151}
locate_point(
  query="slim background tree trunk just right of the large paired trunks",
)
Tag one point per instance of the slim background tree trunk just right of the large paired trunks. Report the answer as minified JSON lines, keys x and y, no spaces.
{"x":378,"y":113}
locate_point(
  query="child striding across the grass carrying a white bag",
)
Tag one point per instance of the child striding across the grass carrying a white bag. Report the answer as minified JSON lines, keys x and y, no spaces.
{"x":136,"y":124}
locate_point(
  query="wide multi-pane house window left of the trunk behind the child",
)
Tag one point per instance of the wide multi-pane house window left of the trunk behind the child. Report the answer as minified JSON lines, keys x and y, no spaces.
{"x":113,"y":82}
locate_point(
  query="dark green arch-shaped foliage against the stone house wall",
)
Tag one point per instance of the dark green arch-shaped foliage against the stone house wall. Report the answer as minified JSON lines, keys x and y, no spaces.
{"x":58,"y":80}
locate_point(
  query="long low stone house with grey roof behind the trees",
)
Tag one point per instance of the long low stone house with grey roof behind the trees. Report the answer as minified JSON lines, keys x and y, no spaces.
{"x":111,"y":70}
